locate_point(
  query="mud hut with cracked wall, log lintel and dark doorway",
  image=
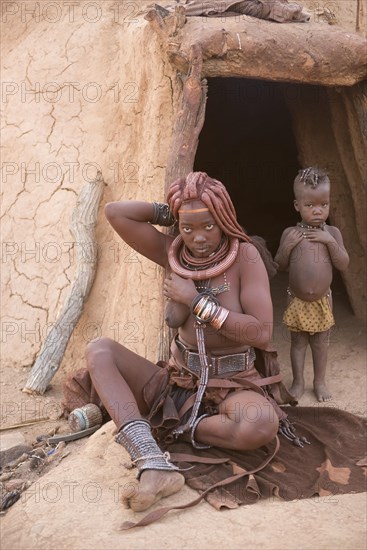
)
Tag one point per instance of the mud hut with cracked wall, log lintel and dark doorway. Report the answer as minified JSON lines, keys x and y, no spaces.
{"x":115,"y":87}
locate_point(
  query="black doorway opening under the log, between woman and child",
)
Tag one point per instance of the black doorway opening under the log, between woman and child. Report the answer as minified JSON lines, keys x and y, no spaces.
{"x":247,"y":143}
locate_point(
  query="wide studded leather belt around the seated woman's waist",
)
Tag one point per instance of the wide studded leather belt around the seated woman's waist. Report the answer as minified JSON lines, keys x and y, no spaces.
{"x":220,"y":365}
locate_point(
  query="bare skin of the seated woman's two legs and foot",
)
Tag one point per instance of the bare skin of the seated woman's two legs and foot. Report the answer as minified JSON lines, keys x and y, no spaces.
{"x":246,"y":420}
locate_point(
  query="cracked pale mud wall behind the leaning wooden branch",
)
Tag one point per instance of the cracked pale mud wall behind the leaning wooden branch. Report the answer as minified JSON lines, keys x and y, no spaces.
{"x":82,"y":90}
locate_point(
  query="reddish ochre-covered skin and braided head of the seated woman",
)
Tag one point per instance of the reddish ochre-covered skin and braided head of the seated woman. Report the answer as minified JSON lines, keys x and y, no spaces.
{"x":120,"y":376}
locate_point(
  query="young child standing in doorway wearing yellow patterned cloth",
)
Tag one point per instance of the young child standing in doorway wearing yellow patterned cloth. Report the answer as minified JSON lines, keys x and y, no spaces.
{"x":309,"y":251}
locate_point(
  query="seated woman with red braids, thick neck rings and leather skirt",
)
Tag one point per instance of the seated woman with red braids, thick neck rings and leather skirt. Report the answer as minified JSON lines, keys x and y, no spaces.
{"x":218,"y":299}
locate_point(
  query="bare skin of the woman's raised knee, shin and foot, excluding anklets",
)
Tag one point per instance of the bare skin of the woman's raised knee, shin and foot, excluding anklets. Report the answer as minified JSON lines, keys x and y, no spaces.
{"x":119,"y":376}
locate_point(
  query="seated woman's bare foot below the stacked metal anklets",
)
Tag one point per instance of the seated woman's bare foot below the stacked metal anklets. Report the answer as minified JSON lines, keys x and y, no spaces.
{"x":153,"y":485}
